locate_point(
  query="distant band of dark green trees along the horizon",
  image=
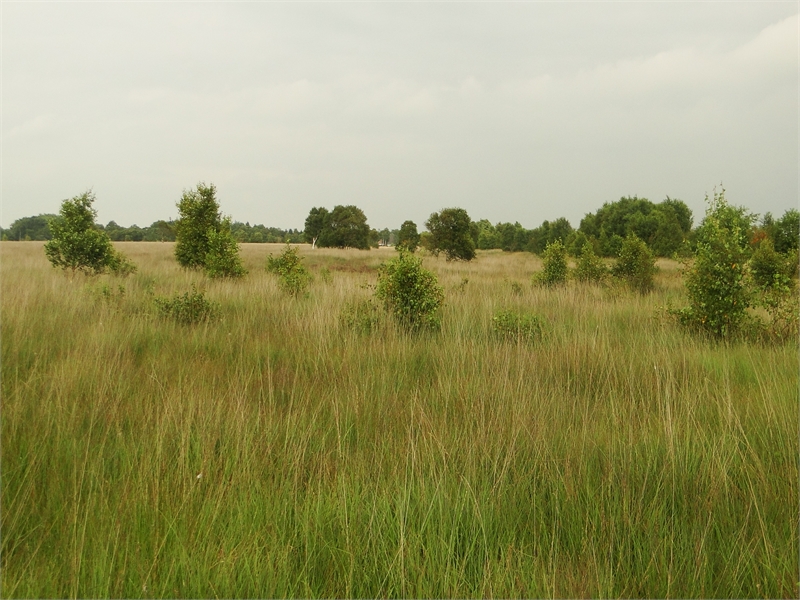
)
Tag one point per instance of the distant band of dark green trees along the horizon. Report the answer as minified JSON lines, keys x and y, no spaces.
{"x":665,"y":227}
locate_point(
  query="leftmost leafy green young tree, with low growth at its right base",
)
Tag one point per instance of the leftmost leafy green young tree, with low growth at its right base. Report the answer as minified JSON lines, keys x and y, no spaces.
{"x":78,"y":244}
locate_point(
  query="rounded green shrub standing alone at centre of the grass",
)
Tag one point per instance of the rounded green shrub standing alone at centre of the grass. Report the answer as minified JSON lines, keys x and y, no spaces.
{"x":409,"y":292}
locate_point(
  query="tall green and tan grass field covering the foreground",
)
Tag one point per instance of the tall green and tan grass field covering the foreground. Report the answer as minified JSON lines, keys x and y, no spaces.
{"x":278,"y":452}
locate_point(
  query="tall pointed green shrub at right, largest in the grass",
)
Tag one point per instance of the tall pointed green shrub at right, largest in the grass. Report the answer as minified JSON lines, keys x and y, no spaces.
{"x":718,"y":299}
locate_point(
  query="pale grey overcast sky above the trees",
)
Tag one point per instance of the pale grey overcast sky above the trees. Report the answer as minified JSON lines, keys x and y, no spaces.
{"x":515,"y":111}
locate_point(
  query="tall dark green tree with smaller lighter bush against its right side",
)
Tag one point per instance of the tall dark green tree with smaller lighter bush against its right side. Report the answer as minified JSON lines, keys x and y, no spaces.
{"x":199,"y":215}
